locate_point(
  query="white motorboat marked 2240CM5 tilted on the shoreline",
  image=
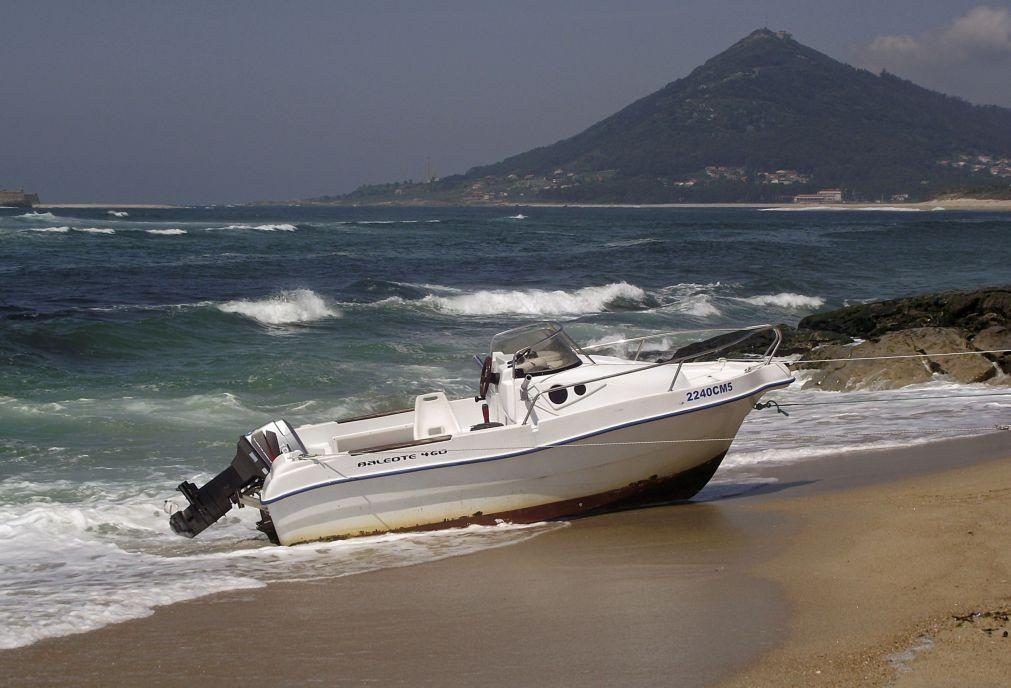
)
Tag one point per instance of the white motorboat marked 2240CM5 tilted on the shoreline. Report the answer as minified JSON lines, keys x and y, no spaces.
{"x":556,"y":431}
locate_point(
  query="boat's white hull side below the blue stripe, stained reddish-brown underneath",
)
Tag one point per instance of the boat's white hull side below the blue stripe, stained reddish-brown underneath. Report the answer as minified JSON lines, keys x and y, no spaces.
{"x":666,"y":458}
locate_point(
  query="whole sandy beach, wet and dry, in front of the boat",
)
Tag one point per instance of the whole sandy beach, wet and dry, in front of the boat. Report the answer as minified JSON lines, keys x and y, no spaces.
{"x":816,"y":578}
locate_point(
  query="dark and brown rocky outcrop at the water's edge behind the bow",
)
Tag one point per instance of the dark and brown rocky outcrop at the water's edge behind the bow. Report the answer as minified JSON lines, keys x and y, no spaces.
{"x":918,"y":327}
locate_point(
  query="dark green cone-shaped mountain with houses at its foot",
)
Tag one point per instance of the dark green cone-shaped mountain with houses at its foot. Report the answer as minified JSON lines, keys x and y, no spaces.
{"x":762,"y":122}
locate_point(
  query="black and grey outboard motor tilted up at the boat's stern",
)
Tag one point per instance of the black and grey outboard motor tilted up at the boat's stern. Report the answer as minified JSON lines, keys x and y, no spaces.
{"x":255,"y":454}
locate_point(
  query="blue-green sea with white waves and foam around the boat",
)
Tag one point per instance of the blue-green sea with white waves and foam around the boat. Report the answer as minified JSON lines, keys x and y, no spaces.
{"x":136,"y":348}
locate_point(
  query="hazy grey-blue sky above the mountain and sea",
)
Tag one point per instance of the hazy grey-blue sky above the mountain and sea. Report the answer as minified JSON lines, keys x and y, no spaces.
{"x":238,"y":102}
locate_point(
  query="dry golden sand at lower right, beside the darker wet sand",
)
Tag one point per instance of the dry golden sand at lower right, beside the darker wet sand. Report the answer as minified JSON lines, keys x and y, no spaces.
{"x":876,"y":580}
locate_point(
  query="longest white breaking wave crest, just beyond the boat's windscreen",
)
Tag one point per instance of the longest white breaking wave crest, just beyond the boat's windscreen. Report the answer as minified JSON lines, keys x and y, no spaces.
{"x":616,"y":297}
